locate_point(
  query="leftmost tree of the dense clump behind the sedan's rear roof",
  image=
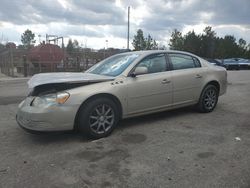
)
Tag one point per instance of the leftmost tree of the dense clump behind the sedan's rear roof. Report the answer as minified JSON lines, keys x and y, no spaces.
{"x":176,"y":41}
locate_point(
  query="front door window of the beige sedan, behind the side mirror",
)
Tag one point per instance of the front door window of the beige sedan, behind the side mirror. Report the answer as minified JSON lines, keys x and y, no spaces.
{"x":154,"y":63}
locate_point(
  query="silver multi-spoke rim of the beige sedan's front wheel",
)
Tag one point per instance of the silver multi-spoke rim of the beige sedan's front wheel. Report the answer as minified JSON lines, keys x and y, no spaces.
{"x":101,"y":119}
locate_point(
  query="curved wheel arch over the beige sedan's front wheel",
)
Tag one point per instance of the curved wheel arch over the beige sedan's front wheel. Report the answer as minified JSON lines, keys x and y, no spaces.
{"x":106,"y":95}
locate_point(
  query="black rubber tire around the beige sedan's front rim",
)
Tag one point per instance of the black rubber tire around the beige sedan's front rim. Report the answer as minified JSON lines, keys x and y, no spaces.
{"x":87,"y":109}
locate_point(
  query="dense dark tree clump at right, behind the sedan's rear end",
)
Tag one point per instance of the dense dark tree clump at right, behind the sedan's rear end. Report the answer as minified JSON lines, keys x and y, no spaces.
{"x":209,"y":45}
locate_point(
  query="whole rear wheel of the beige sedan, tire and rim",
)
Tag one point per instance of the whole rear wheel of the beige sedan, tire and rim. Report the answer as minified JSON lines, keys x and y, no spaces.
{"x":208,"y":99}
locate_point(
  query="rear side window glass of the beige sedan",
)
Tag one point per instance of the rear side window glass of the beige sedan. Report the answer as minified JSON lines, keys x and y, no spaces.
{"x":181,"y":61}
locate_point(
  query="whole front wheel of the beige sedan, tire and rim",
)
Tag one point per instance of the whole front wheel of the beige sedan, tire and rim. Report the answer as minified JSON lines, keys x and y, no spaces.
{"x":98,"y":117}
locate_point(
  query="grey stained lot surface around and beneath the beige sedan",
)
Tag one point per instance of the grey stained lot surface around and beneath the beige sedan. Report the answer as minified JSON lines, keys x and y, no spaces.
{"x":181,"y":148}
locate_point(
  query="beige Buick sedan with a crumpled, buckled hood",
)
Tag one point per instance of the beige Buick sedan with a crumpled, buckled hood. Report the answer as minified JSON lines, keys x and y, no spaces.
{"x":121,"y":86}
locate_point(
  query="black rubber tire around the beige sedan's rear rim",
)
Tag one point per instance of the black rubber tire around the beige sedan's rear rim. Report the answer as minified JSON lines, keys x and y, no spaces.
{"x":201,"y":105}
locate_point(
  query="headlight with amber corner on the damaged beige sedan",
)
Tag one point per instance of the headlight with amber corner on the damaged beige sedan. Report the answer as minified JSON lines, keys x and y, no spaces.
{"x":50,"y":99}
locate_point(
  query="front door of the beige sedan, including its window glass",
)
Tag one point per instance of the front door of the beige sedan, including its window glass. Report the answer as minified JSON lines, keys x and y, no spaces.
{"x":150,"y":91}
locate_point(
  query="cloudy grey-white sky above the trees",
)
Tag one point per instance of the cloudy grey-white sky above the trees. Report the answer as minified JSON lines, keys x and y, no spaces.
{"x":94,"y":22}
